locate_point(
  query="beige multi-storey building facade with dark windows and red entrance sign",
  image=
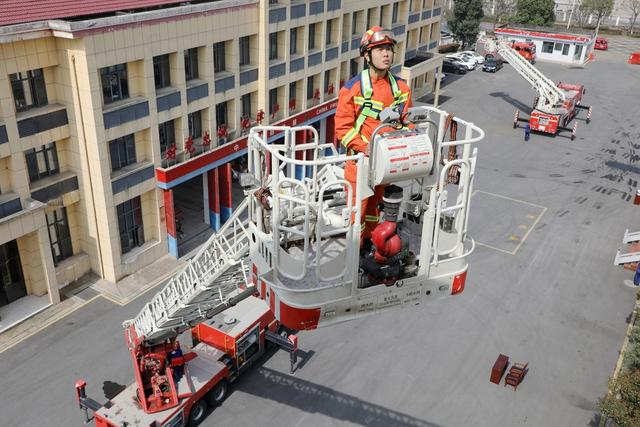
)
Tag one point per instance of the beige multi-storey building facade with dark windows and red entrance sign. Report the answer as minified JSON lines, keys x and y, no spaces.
{"x":102,"y":117}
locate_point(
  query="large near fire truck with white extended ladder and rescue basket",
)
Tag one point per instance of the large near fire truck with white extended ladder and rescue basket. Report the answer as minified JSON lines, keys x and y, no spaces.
{"x":290,"y":259}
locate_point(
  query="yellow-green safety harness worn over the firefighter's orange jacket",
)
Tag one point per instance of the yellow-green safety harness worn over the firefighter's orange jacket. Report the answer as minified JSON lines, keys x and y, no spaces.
{"x":370,"y":107}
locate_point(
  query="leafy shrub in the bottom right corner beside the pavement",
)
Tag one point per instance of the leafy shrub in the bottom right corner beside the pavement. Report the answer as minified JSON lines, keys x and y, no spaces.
{"x":621,"y":403}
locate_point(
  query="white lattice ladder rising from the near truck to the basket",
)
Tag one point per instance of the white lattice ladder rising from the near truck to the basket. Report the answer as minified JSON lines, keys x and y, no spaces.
{"x":208,"y":282}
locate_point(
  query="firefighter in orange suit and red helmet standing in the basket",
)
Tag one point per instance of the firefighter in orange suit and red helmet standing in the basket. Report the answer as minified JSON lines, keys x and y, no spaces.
{"x":360,"y":102}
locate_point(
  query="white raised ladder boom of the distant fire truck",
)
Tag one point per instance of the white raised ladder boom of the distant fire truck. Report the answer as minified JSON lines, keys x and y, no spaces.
{"x":550,"y":97}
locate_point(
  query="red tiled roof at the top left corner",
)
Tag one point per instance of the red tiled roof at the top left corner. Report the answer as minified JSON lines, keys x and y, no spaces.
{"x":20,"y":11}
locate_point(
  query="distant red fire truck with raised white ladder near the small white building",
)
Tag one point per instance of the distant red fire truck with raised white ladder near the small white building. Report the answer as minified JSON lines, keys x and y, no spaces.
{"x":555,"y":105}
